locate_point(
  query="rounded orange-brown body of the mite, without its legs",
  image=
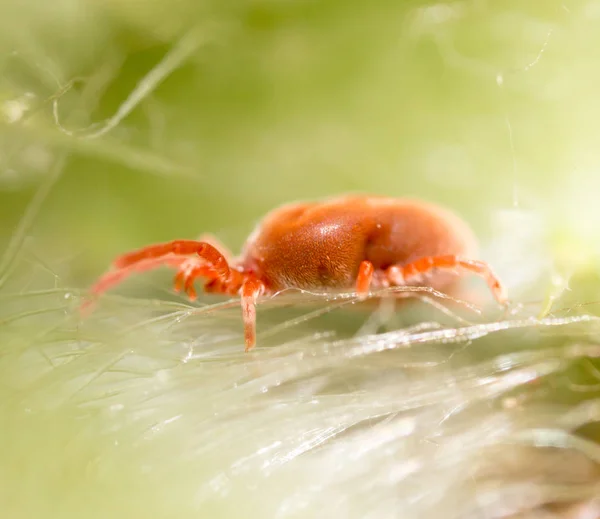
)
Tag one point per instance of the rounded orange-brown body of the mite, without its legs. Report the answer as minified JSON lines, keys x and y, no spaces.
{"x":322,"y":244}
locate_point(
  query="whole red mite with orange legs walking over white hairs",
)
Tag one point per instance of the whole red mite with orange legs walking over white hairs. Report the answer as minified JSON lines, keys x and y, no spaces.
{"x":349,"y":243}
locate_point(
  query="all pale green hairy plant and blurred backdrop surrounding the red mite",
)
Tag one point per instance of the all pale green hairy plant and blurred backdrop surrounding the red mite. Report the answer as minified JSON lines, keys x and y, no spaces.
{"x":124,"y":123}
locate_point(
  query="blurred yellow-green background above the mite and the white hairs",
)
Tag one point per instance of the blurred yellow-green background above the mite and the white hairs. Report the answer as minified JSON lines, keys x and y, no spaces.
{"x":480,"y":105}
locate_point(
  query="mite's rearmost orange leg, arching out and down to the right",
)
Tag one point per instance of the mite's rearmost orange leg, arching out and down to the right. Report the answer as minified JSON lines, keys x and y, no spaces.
{"x":402,"y":274}
